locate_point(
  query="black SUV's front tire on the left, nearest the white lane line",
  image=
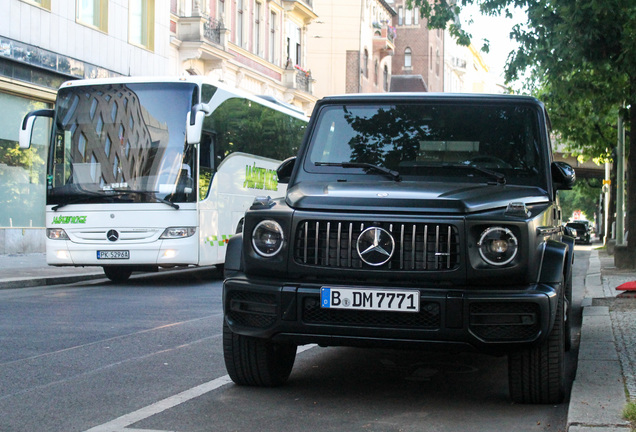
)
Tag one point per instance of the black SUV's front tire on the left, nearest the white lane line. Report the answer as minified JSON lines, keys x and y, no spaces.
{"x":256,"y":362}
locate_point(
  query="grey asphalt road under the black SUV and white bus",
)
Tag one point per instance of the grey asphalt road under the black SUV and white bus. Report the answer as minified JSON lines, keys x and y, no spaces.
{"x":147,"y":355}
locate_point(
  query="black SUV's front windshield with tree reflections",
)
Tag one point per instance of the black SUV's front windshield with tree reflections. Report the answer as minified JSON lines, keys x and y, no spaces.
{"x":441,"y":142}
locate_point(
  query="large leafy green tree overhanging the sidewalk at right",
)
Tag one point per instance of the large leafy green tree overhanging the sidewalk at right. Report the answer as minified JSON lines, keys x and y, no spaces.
{"x":581,"y":56}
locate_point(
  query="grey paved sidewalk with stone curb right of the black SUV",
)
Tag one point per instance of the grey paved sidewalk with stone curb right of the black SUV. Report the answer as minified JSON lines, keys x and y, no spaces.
{"x":607,"y":352}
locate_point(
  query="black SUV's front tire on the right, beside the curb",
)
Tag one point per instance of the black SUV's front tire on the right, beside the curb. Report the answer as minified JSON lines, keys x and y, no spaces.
{"x":536,"y":374}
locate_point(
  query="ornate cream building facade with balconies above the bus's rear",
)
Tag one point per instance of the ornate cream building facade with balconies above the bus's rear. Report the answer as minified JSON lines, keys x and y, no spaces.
{"x":255,"y":45}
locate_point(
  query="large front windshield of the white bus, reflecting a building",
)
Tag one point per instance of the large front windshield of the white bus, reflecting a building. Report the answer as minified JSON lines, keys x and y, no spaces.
{"x":122,"y":143}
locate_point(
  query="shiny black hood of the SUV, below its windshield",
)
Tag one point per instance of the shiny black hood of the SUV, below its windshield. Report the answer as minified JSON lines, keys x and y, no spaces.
{"x":456,"y":198}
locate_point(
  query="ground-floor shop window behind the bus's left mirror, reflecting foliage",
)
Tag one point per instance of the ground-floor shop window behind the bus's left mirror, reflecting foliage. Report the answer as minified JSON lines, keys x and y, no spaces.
{"x":22,"y":171}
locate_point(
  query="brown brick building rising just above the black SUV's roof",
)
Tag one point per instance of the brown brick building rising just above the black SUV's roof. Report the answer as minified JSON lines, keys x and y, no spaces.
{"x":418,"y":50}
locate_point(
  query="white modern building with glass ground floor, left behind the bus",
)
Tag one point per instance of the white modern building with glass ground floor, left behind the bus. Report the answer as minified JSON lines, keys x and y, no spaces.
{"x":42,"y":44}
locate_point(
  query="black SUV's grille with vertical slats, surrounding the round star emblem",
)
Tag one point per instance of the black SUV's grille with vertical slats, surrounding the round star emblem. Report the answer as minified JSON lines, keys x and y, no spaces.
{"x":418,"y":246}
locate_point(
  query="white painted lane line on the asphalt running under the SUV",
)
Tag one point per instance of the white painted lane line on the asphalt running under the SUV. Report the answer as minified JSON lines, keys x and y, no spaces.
{"x":120,"y":423}
